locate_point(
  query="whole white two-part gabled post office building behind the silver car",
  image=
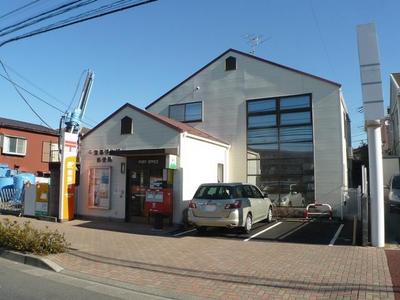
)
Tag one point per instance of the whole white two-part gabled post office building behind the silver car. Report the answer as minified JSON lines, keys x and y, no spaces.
{"x":239,"y":118}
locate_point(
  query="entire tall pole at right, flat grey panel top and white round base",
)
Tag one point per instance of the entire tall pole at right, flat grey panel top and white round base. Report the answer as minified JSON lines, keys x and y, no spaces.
{"x":371,"y":86}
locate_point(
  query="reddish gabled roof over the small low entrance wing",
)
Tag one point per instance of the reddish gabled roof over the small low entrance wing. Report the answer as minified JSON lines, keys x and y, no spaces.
{"x":176,"y":125}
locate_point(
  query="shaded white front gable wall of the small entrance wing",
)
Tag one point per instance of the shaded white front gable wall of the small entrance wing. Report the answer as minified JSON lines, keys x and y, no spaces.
{"x":147,"y":134}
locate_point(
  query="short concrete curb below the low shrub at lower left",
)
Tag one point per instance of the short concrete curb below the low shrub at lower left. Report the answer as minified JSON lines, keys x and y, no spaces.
{"x":30,"y":259}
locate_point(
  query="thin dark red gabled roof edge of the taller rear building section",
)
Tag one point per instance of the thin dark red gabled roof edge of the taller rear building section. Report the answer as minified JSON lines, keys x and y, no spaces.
{"x":248,"y":55}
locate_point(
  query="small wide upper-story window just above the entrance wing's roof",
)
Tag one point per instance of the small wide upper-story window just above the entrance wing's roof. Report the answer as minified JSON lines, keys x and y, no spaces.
{"x":187,"y":112}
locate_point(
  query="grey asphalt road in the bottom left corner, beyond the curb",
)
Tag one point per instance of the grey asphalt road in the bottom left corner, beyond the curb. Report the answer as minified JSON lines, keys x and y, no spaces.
{"x":22,"y":282}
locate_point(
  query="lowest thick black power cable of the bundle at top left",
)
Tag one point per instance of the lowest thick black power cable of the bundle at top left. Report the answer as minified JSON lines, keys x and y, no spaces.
{"x":48,"y":29}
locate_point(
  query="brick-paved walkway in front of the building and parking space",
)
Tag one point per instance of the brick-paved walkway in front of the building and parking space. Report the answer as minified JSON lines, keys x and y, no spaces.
{"x":226,"y":269}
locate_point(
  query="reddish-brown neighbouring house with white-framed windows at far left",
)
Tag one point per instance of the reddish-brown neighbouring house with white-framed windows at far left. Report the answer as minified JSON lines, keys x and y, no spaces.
{"x":27,"y":147}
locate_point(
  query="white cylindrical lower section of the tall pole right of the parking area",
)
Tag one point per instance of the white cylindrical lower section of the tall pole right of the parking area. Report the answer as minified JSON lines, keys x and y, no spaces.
{"x":376,"y":183}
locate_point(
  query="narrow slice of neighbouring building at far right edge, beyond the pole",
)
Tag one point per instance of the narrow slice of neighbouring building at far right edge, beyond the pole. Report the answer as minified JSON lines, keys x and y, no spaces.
{"x":394,"y":115}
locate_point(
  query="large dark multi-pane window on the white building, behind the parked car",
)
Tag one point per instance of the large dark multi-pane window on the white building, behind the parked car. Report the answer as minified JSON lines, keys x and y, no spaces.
{"x":280,"y":157}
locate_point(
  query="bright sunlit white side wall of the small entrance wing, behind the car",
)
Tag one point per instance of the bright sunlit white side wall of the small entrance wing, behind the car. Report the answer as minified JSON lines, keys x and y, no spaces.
{"x":198,"y":164}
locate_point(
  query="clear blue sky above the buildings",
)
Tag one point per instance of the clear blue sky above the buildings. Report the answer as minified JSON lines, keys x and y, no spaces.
{"x":140,"y":54}
